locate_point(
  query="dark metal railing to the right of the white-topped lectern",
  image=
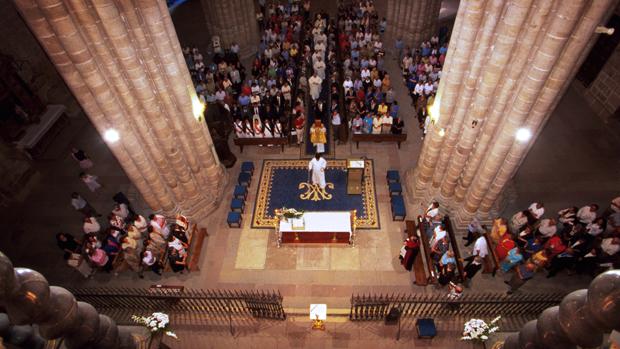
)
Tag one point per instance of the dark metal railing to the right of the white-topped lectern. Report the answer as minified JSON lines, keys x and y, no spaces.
{"x":376,"y":307}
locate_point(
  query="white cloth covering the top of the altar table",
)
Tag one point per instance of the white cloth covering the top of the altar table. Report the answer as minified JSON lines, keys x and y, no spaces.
{"x":322,"y":222}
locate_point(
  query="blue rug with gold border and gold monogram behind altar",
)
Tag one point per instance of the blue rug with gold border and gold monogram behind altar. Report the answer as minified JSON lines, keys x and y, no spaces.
{"x":284,"y":183}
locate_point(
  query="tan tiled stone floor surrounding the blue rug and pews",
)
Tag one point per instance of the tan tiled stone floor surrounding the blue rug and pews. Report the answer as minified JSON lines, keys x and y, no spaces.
{"x":574,"y":141}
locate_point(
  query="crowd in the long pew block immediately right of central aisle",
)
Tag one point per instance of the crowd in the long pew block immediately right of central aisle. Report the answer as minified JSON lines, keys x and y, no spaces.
{"x":368,"y":92}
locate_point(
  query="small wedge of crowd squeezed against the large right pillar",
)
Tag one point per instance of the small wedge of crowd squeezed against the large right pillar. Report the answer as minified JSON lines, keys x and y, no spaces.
{"x":422,"y":71}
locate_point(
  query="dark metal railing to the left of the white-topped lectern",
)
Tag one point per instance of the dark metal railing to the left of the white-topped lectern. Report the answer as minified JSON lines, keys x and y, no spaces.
{"x":177,"y":299}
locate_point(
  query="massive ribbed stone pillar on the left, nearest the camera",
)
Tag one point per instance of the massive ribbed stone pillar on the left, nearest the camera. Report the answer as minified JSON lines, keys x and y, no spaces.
{"x":123,"y":62}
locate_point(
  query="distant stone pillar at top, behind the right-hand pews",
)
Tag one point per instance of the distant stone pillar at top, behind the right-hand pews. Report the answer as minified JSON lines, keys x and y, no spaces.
{"x":412,"y":20}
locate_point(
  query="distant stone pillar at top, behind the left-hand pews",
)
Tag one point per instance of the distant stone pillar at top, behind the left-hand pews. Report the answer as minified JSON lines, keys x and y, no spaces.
{"x":233,"y":21}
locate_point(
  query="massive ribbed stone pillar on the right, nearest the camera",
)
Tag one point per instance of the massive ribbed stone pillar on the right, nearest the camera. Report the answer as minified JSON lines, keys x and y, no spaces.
{"x":508,"y":65}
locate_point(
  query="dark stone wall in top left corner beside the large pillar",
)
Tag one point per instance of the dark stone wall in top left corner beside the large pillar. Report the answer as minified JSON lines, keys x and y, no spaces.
{"x":35,"y":67}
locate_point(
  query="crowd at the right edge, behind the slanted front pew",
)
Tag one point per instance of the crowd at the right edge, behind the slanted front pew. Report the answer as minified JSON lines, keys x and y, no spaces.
{"x":580,"y":240}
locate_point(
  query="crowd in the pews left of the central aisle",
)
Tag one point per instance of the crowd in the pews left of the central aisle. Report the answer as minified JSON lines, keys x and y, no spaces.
{"x":261,"y":105}
